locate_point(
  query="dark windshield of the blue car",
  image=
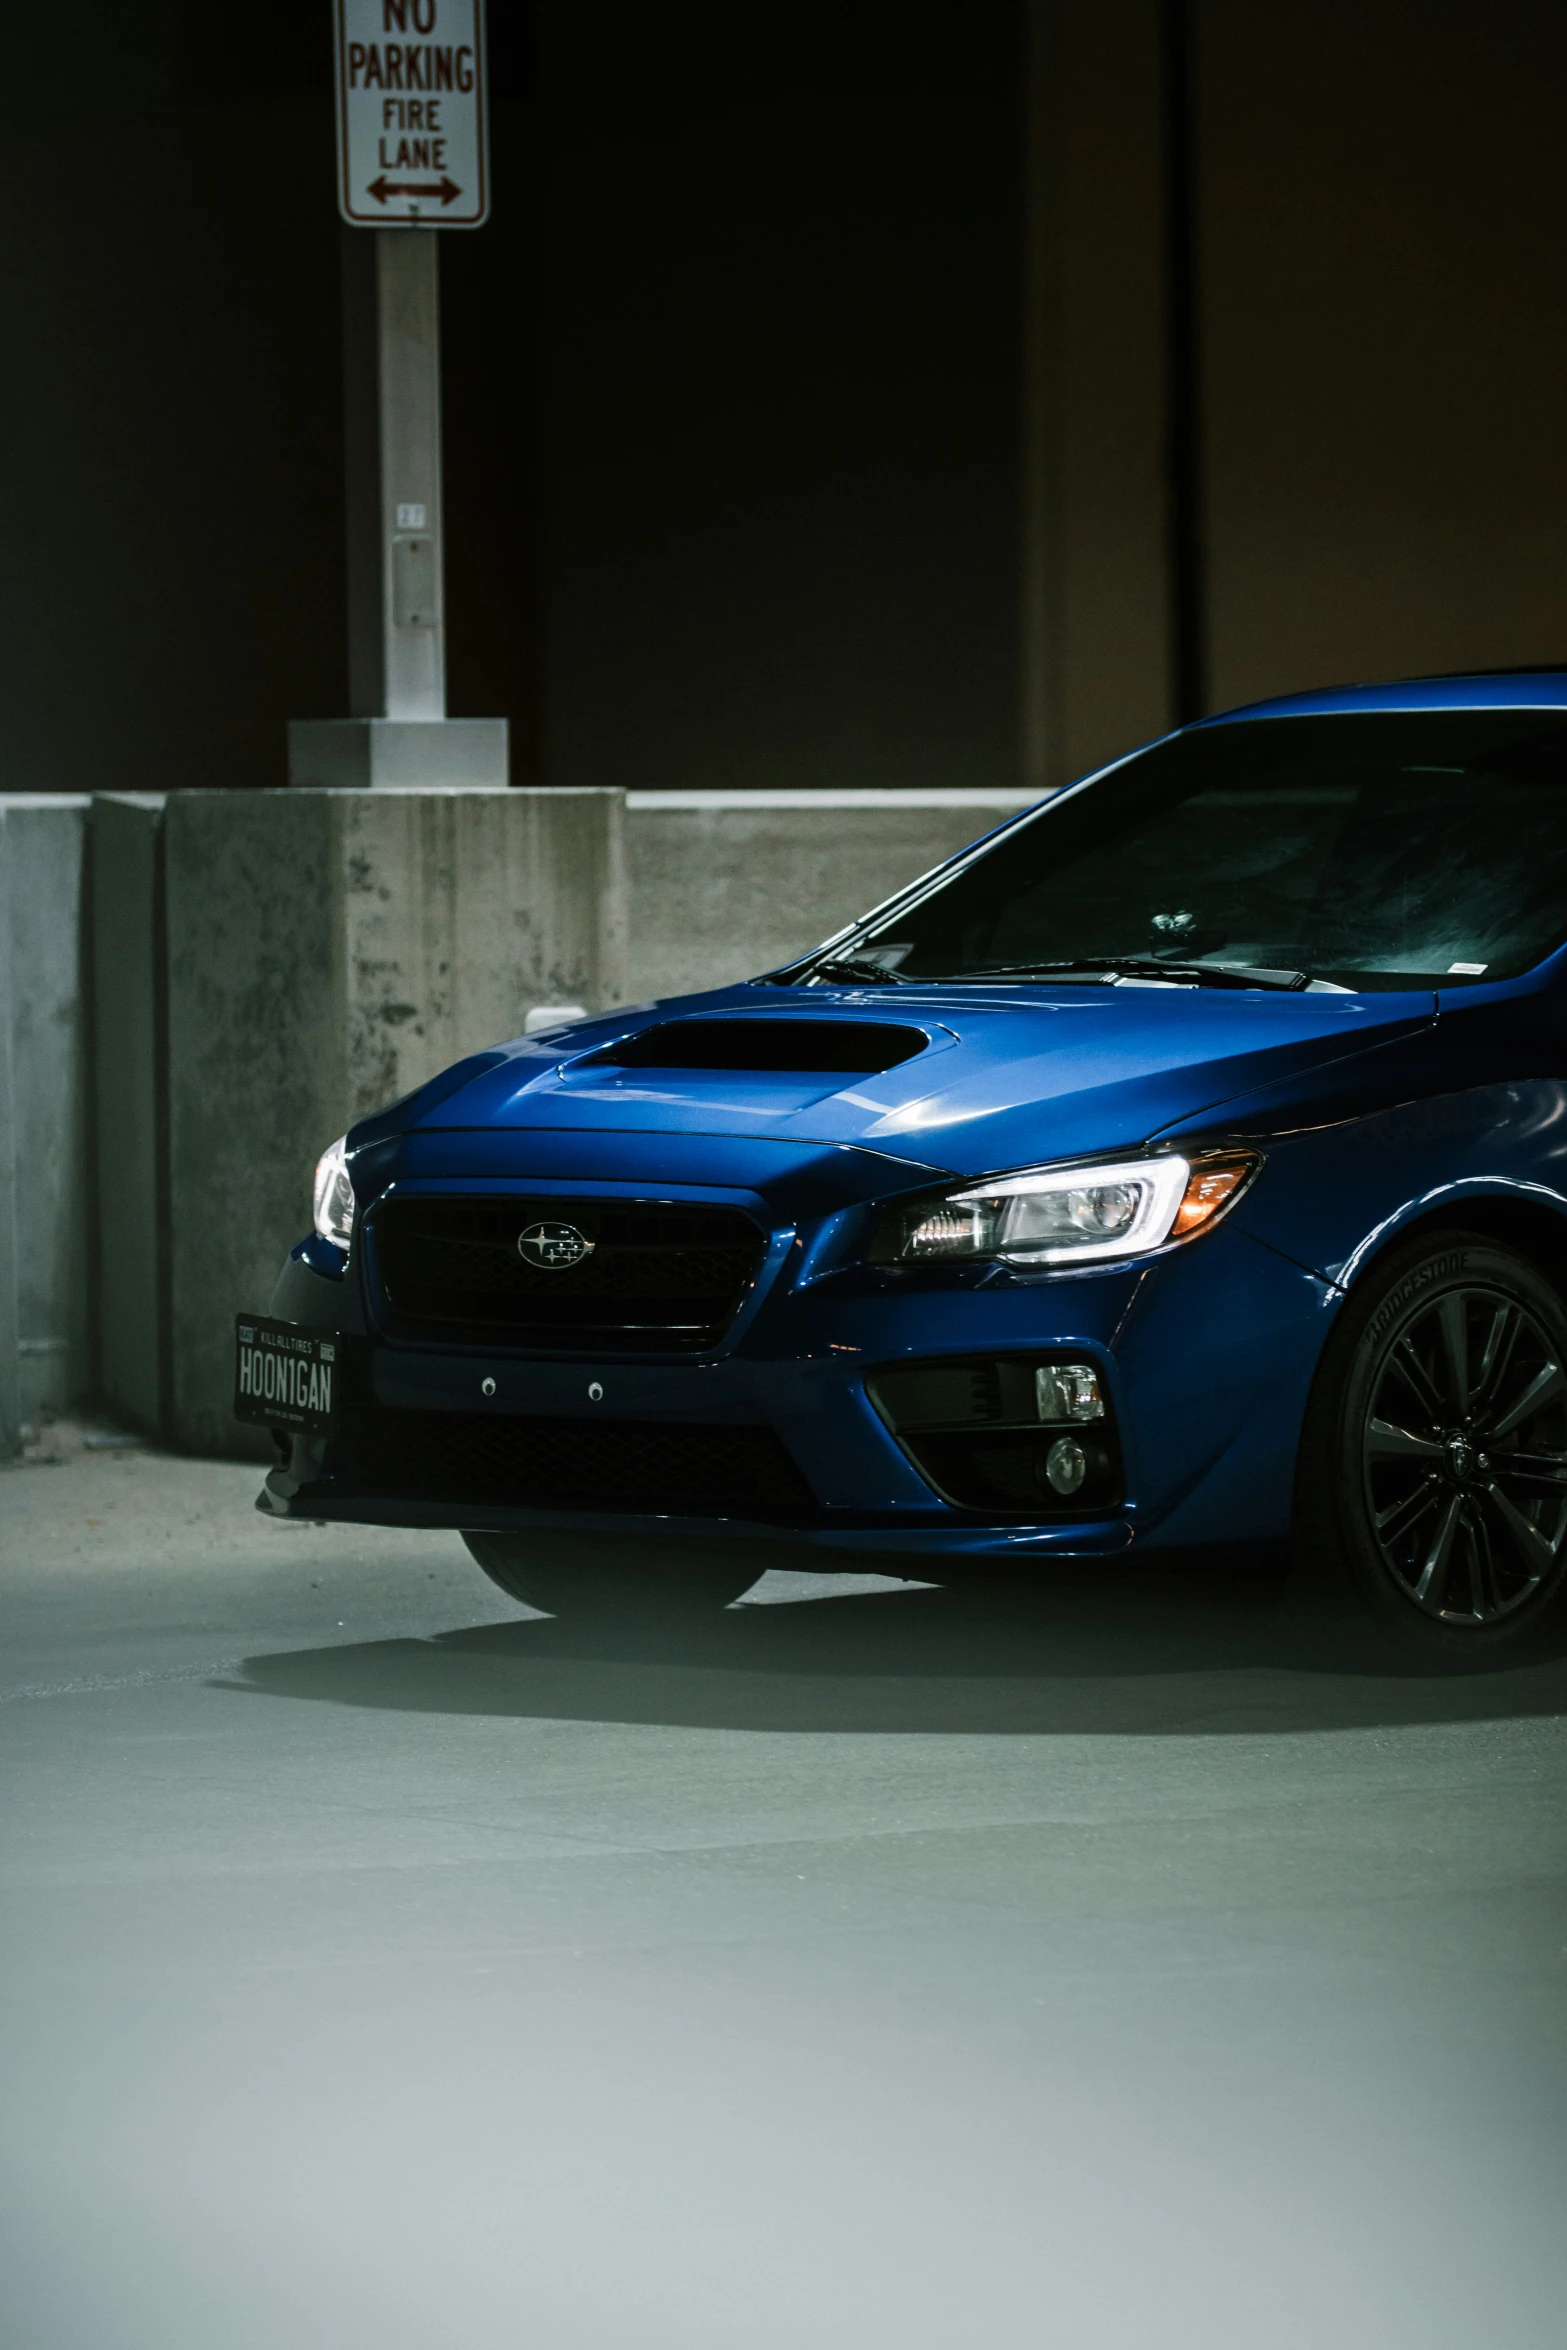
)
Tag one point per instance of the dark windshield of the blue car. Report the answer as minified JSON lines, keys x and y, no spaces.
{"x":1364,"y":852}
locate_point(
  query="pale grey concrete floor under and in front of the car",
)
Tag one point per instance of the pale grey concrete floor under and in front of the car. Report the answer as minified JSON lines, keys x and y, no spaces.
{"x":868,"y":1968}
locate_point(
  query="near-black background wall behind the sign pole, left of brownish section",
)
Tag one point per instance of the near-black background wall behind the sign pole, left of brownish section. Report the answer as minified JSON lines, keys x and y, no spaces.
{"x":729,"y":394}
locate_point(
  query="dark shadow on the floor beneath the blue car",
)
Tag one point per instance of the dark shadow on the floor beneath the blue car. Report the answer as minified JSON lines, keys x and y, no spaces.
{"x":1089,"y":1653}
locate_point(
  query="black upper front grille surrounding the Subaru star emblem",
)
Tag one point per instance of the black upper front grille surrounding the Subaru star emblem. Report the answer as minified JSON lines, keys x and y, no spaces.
{"x":657,"y":1277}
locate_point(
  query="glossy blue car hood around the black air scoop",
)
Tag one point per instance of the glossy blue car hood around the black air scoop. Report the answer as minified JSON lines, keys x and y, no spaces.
{"x":997,"y":1082}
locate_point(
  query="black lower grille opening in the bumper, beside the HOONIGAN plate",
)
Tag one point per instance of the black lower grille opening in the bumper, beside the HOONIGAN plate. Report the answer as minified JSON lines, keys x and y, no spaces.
{"x":645,"y":1465}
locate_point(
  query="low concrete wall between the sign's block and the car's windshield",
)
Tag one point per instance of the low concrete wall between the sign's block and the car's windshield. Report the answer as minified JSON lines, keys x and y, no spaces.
{"x":727,"y":885}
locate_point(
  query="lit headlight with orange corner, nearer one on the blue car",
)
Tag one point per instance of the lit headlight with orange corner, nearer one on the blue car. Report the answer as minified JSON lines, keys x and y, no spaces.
{"x":1072,"y":1216}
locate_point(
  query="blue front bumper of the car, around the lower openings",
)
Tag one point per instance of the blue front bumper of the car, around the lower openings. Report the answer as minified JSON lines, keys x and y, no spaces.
{"x":1206,"y":1355}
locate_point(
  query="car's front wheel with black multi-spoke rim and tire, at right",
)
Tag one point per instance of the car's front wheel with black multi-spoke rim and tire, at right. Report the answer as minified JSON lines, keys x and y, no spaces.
{"x":1432,"y":1489}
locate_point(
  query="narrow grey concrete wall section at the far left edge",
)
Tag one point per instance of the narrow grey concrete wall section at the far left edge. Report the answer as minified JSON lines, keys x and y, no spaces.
{"x":46,"y":1298}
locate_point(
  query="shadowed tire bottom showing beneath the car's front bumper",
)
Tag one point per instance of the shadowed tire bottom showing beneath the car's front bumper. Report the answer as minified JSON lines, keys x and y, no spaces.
{"x":596,"y":1578}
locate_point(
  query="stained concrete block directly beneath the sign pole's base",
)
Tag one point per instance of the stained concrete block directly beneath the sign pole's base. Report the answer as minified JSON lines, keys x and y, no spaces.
{"x":325,"y":955}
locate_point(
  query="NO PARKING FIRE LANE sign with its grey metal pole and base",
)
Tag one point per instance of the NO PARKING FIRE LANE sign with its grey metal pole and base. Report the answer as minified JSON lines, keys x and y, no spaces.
{"x":412,"y":159}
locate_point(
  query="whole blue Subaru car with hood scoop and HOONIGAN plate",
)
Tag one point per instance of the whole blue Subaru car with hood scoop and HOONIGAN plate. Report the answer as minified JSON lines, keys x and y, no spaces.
{"x":1183,"y":1169}
